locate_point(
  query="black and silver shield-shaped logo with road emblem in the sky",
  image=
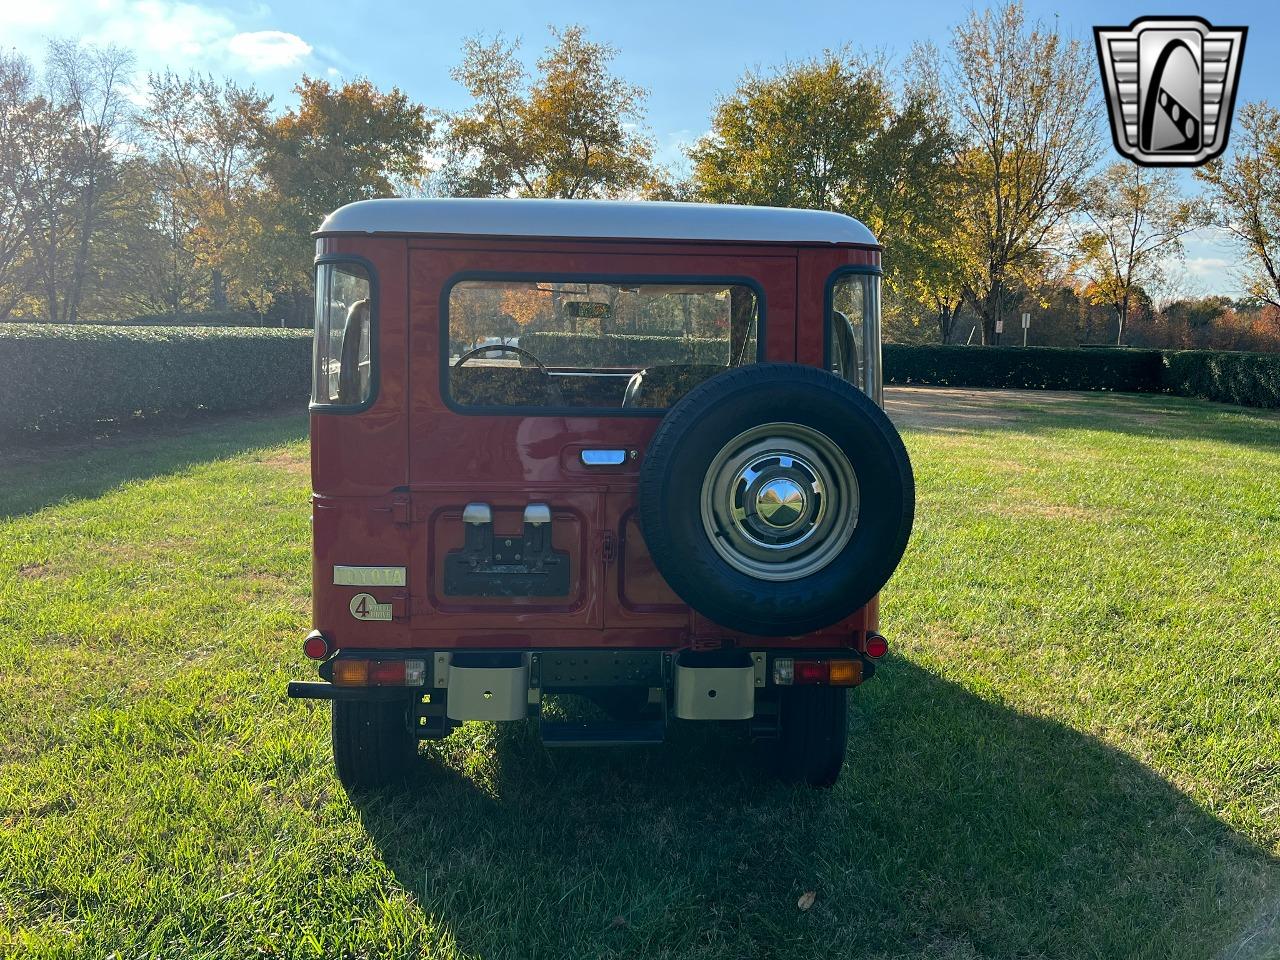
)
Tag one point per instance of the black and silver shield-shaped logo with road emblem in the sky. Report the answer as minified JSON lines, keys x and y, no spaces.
{"x":1171,"y":88}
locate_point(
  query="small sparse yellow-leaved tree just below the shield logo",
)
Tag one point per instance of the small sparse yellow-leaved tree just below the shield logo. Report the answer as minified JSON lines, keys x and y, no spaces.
{"x":1136,"y":222}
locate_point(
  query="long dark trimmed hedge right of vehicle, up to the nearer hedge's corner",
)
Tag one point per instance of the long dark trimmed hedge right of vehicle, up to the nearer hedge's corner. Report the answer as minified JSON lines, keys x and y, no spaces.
{"x":1032,"y":368}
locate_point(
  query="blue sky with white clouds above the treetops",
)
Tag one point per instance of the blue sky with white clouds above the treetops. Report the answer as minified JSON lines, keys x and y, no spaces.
{"x":685,"y":54}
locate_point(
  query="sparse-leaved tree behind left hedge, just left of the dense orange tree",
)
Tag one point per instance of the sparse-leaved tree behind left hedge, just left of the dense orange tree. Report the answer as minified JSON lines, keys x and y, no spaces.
{"x":204,"y":136}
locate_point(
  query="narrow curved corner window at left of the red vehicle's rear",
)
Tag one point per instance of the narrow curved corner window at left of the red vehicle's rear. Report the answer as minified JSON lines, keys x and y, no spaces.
{"x":344,"y":373}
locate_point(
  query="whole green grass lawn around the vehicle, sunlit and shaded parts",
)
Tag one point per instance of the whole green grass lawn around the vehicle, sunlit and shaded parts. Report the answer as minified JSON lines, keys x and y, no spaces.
{"x":1075,"y":751}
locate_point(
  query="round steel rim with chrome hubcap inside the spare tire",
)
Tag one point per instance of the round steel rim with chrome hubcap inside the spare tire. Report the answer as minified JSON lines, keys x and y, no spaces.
{"x":780,"y":502}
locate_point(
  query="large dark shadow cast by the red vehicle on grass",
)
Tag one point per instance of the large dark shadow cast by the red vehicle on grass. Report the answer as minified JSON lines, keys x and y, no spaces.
{"x":961,"y":829}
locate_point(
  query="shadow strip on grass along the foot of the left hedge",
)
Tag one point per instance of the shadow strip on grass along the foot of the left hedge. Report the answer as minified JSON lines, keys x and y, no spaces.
{"x":35,"y":477}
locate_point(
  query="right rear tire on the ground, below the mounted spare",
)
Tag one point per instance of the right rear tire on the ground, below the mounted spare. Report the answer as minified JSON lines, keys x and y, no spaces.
{"x":813,"y":732}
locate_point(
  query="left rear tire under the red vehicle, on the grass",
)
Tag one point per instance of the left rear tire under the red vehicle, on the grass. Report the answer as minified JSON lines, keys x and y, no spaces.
{"x":374,"y":743}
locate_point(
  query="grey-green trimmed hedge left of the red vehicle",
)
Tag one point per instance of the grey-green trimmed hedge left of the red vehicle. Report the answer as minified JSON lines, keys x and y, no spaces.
{"x":63,"y":378}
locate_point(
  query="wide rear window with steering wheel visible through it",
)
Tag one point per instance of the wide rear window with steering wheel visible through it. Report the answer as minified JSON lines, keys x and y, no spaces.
{"x":597,"y":345}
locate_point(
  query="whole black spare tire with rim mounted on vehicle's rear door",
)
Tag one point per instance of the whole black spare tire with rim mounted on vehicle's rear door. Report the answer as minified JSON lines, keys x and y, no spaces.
{"x":776,"y":499}
